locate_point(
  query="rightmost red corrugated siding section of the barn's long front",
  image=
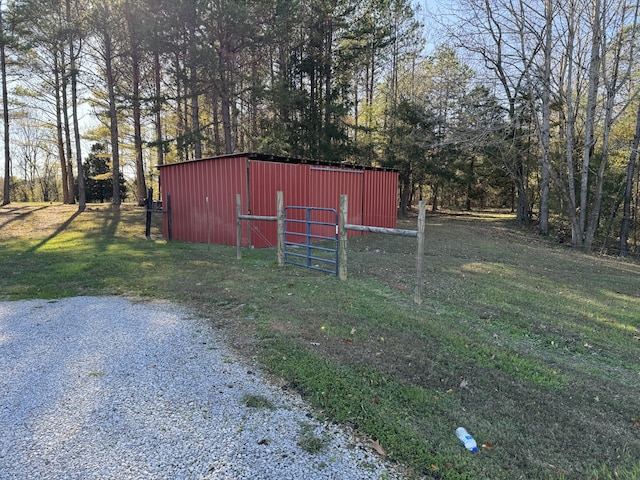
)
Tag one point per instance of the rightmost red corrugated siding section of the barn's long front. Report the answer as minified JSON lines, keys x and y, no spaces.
{"x":380,"y":191}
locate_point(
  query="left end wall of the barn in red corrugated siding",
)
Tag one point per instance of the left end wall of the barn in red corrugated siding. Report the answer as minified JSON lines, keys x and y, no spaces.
{"x":190,"y":184}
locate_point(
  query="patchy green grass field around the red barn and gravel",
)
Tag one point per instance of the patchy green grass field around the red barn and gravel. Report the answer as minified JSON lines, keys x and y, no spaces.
{"x":533,"y":347}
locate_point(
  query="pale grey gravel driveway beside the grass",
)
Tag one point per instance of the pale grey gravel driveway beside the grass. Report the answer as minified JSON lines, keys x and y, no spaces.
{"x":107,"y":388}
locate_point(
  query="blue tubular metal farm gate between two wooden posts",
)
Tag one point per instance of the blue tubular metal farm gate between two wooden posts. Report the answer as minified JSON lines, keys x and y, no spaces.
{"x":311,"y":238}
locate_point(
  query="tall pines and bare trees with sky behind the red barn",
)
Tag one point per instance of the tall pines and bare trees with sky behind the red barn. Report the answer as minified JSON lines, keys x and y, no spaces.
{"x":480,"y":103}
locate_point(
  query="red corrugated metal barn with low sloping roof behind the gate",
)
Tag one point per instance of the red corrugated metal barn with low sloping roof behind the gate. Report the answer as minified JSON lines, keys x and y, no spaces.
{"x":203,"y":195}
